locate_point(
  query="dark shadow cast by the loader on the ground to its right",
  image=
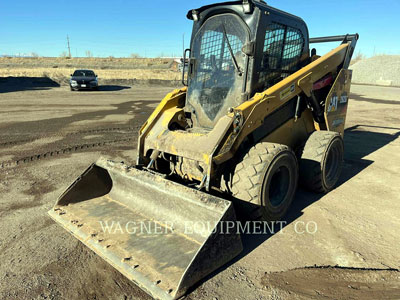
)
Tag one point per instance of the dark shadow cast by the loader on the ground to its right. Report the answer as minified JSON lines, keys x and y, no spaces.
{"x":359,"y":143}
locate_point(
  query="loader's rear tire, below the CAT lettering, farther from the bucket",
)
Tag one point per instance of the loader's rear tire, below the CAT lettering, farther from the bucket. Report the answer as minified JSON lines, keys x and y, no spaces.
{"x":321,"y":161}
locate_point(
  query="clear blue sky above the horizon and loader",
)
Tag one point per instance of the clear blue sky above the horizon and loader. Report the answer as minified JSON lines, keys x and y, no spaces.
{"x":155,"y":28}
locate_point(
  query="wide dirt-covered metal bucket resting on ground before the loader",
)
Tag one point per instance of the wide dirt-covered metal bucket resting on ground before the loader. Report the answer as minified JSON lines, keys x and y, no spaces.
{"x":162,"y":235}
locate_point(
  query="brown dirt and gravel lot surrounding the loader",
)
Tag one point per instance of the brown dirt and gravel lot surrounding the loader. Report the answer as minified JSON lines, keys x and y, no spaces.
{"x":354,"y":254}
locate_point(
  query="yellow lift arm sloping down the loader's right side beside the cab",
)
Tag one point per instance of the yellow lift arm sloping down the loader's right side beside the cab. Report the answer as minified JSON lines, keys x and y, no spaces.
{"x":251,"y":114}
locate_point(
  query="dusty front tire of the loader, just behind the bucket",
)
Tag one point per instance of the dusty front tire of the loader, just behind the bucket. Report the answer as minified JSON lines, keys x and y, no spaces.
{"x":267,"y":178}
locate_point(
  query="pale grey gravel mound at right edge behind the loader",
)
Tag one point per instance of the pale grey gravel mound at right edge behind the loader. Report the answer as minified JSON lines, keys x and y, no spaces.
{"x":378,"y":70}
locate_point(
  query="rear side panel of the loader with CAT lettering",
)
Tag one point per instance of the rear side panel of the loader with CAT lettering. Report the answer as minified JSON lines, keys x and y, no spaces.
{"x":336,"y":102}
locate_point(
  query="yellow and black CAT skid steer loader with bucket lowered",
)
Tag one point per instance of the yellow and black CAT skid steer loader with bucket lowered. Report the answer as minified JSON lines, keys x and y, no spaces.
{"x":259,"y":112}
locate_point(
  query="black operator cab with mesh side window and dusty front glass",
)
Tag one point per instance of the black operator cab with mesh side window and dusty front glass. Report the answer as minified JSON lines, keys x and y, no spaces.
{"x":237,"y":49}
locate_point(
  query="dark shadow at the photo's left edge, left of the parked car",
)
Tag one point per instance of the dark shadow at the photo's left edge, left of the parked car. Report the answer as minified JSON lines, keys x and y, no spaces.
{"x":16,"y":84}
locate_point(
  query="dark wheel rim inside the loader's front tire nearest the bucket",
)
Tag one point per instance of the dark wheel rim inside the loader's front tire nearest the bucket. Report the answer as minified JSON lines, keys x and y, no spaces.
{"x":279,"y":186}
